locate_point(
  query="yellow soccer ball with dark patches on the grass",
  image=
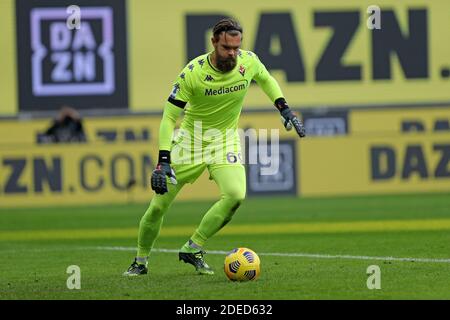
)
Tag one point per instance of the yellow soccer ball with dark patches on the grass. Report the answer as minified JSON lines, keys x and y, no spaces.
{"x":242,"y":264}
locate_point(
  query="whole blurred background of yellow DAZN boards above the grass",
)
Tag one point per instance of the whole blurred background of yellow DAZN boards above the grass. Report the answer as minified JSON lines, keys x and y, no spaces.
{"x":80,"y":107}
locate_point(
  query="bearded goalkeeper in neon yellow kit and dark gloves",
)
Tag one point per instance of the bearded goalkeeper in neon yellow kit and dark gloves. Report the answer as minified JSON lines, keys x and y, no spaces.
{"x":214,"y":85}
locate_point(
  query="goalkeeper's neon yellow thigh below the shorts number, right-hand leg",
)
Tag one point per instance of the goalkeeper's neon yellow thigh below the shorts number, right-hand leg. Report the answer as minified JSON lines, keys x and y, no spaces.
{"x":230,"y":179}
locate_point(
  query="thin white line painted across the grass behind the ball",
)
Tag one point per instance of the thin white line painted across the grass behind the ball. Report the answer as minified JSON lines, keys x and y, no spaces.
{"x":293,"y":254}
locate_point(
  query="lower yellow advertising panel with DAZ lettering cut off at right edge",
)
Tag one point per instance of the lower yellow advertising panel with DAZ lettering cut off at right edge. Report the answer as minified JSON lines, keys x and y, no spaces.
{"x":367,"y":165}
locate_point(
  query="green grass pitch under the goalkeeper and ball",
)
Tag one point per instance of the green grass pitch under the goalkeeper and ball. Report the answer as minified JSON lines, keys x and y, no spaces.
{"x":309,"y":249}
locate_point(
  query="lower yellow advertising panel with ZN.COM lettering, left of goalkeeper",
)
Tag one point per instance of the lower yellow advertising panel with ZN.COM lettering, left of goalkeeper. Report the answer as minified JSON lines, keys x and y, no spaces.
{"x":82,"y":174}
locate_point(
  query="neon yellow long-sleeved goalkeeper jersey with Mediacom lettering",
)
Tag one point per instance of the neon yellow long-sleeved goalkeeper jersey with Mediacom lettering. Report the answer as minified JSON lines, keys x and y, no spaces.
{"x":212,"y":101}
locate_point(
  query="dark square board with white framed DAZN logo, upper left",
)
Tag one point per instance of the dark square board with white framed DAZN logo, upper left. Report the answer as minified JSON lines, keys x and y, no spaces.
{"x":84,"y":66}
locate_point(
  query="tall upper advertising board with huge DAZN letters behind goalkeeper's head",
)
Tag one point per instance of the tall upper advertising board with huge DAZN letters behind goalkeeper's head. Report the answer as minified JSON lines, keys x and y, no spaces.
{"x":323,"y":53}
